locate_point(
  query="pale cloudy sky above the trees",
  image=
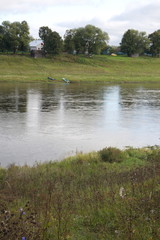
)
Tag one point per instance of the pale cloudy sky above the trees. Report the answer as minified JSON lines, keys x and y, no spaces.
{"x":113,"y":16}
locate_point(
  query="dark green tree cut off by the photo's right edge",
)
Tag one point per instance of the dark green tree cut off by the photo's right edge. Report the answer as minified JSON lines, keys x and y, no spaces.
{"x":155,"y":43}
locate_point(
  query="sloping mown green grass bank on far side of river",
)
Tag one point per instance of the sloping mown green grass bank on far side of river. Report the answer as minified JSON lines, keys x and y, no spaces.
{"x":80,"y":68}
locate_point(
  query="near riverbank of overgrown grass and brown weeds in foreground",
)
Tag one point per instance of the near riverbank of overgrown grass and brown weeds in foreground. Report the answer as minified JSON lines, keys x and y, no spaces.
{"x":110,"y":194}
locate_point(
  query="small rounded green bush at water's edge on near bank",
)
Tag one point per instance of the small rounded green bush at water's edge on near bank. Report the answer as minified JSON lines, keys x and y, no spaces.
{"x":111,"y":155}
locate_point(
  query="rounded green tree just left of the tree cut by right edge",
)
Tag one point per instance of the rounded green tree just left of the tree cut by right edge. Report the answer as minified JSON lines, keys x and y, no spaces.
{"x":134,"y":42}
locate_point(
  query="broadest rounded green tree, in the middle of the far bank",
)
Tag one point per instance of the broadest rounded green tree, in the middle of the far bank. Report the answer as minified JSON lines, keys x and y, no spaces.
{"x":89,"y":39}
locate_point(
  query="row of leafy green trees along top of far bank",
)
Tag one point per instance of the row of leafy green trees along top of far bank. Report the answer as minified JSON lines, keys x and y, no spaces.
{"x":15,"y":37}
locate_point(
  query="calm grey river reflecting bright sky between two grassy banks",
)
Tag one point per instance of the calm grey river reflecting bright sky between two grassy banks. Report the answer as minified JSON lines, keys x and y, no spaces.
{"x":43,"y":122}
